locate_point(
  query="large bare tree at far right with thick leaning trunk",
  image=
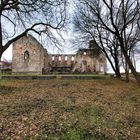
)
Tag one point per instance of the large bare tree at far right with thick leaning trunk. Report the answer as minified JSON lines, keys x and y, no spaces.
{"x":118,"y":17}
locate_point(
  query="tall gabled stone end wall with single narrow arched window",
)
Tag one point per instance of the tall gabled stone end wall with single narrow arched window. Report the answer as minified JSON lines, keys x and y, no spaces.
{"x":28,"y":56}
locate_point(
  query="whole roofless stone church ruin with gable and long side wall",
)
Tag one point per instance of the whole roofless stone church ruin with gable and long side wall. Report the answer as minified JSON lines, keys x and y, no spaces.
{"x":29,"y":56}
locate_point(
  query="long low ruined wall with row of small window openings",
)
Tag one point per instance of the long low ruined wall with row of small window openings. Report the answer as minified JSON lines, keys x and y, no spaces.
{"x":78,"y":62}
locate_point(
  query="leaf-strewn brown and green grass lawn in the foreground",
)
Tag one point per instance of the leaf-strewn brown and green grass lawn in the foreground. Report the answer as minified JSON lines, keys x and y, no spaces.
{"x":69,"y":110}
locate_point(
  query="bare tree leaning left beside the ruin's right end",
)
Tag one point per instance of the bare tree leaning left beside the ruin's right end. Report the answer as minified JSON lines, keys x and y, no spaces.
{"x":88,"y":28}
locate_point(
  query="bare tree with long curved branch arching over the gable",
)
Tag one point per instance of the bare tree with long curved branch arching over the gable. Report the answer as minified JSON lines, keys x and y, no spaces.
{"x":22,"y":16}
